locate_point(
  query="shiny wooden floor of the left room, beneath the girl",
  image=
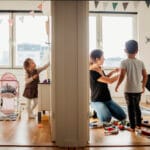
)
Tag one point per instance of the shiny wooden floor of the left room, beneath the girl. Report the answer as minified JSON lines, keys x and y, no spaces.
{"x":24,"y":132}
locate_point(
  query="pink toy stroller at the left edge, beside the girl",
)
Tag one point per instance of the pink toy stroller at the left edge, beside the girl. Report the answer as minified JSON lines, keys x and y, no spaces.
{"x":9,"y":97}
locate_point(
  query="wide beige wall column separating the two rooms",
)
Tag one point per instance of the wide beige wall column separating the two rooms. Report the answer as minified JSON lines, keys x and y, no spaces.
{"x":70,"y":100}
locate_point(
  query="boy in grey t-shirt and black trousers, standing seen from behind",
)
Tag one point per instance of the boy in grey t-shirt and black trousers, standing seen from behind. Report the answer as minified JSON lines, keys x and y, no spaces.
{"x":136,"y":78}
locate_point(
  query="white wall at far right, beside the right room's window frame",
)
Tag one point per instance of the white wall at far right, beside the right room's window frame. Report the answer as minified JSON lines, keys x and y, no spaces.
{"x":143,"y":32}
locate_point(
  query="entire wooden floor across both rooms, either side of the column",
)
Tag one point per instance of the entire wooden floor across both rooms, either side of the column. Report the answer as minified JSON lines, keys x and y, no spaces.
{"x":25,"y":134}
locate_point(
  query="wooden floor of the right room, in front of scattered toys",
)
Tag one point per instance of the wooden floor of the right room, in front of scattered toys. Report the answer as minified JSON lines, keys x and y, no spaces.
{"x":123,"y":140}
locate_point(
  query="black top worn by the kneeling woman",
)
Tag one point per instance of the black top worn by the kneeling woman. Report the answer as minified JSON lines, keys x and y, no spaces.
{"x":99,"y":90}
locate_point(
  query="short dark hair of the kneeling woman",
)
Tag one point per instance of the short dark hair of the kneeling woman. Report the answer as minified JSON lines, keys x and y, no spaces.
{"x":96,"y":53}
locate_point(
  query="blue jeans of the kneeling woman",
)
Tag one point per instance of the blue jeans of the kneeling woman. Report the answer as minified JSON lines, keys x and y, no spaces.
{"x":106,"y":110}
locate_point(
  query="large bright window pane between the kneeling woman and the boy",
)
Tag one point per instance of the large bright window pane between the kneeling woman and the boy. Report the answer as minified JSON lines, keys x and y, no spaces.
{"x":113,"y":30}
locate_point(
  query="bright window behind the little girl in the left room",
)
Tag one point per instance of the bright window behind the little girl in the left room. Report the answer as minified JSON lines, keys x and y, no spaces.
{"x":29,"y":38}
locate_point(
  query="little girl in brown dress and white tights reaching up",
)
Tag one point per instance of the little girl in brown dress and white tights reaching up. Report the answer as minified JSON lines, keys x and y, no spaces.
{"x":31,"y":84}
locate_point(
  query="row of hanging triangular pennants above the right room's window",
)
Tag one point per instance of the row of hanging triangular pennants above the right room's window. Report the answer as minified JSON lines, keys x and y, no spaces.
{"x":115,"y":4}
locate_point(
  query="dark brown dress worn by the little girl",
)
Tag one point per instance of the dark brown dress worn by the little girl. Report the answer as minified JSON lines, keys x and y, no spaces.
{"x":31,"y":89}
